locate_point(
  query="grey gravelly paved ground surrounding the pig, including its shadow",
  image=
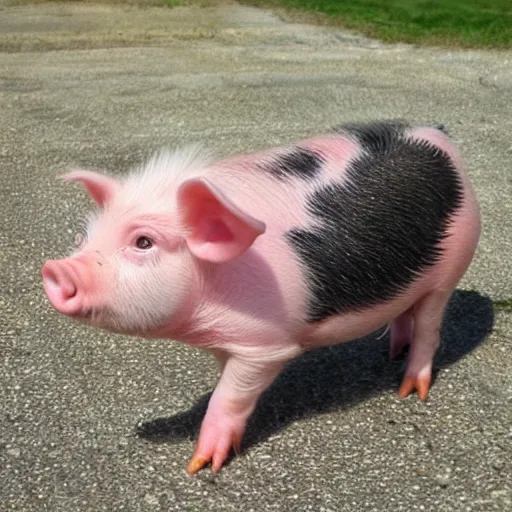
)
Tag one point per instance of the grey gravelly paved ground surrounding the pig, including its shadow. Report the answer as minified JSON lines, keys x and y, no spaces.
{"x":94,"y":421}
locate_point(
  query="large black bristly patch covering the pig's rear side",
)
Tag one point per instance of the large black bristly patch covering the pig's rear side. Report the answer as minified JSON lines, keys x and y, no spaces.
{"x":380,"y":229}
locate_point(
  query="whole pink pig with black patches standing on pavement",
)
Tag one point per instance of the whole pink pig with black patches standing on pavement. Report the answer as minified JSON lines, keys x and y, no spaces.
{"x":259,"y":258}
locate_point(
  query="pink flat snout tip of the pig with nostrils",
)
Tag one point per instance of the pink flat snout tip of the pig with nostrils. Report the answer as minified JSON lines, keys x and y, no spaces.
{"x":61,"y":280}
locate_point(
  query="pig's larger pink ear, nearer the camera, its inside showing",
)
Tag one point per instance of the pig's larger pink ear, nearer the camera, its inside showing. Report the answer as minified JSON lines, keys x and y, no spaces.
{"x":217,"y":230}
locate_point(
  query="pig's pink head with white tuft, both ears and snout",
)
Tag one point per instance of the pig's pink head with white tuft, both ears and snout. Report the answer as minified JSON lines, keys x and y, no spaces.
{"x":150,"y":247}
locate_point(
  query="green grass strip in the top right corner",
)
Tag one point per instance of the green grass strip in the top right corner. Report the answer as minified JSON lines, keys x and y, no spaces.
{"x":469,"y":23}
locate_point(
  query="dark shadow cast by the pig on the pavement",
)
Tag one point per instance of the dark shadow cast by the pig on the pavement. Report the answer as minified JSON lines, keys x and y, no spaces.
{"x":337,"y":377}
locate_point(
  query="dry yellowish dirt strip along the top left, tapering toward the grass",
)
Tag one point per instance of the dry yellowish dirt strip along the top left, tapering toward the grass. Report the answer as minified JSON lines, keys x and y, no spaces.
{"x":77,"y":26}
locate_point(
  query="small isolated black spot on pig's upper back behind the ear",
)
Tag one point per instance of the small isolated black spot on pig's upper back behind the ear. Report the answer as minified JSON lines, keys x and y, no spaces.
{"x":297,"y":162}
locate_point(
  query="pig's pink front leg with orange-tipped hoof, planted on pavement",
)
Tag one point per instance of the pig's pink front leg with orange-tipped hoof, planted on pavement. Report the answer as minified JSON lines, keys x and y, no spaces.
{"x":242,"y":381}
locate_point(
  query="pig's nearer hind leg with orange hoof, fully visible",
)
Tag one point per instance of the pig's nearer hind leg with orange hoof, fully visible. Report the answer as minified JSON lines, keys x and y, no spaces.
{"x":427,"y":316}
